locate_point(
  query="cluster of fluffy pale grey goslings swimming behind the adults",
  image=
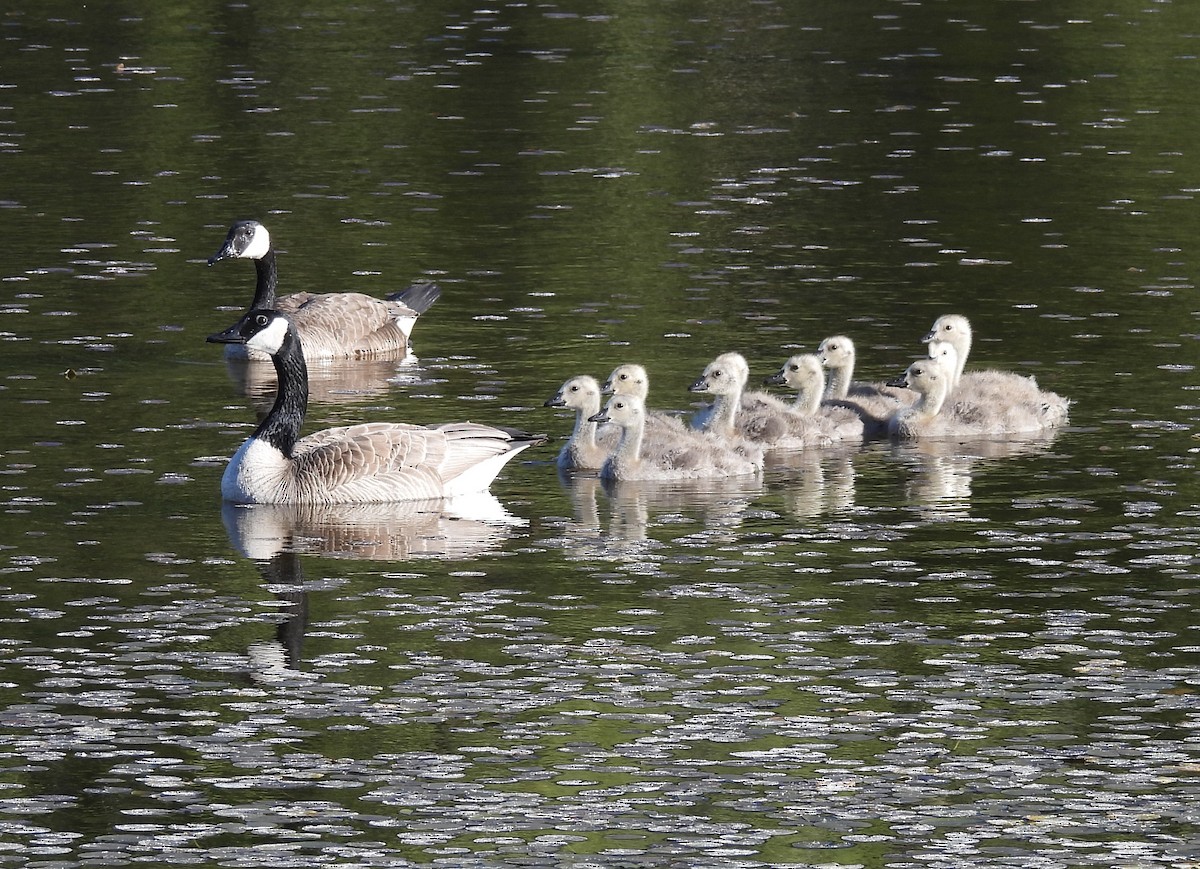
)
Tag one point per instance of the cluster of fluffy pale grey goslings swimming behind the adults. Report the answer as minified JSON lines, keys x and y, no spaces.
{"x":934,"y":398}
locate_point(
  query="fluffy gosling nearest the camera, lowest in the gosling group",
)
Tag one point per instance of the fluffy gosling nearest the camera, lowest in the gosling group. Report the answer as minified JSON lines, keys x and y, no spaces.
{"x":685,"y":456}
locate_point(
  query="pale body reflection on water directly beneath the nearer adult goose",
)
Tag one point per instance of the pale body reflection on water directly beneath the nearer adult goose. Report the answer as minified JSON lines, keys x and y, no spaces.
{"x":454,"y":530}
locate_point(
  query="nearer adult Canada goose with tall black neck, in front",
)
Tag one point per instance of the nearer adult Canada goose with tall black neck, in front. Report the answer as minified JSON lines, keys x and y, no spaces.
{"x":358,"y":464}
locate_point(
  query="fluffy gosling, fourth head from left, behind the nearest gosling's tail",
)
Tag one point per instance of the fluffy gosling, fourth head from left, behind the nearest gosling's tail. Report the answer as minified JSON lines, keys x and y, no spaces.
{"x":757,"y":417}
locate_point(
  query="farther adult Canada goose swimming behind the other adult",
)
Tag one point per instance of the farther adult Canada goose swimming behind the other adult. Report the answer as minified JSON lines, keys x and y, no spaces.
{"x":332,"y":326}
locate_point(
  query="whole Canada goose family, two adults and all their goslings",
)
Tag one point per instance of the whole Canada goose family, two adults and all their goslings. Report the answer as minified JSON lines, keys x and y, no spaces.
{"x":620,"y":439}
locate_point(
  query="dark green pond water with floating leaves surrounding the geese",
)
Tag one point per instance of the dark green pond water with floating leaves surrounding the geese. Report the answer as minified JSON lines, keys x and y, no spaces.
{"x":933,"y":656}
